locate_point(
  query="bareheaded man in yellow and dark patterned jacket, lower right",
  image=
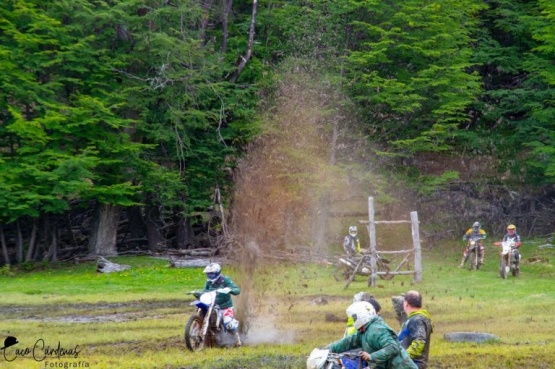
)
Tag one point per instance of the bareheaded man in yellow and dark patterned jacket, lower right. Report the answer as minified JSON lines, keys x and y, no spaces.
{"x":416,"y":332}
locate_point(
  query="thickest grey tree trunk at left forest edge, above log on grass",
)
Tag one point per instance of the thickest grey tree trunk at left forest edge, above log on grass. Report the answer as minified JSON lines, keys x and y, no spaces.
{"x":104,"y":230}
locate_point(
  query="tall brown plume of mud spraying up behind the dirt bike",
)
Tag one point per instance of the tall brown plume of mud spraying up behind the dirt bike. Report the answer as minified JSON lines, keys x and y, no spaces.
{"x":284,"y":189}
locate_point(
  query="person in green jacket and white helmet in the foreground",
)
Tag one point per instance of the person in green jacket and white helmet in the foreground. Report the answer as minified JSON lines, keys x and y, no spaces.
{"x":378,"y":342}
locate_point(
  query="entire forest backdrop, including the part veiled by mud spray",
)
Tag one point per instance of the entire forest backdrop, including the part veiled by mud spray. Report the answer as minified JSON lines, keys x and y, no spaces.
{"x":151,"y":125}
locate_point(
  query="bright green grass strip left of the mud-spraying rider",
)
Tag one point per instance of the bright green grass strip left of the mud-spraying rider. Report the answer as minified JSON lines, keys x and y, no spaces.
{"x":148,"y":278}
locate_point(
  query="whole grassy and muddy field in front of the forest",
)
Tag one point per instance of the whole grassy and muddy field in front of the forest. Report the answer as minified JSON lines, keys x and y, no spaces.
{"x":134,"y":319}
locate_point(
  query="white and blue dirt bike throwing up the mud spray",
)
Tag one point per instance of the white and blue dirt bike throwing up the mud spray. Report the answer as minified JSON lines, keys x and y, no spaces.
{"x":206,"y":327}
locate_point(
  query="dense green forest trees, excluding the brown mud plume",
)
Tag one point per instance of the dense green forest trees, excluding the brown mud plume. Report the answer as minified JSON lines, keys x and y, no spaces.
{"x":137,"y":110}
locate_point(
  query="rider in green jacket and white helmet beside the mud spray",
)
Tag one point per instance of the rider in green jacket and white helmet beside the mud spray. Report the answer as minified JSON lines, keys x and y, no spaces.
{"x":222,"y":284}
